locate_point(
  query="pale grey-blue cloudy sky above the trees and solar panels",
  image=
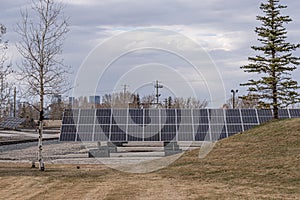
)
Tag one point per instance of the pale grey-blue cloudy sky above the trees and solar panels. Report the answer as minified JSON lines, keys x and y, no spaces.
{"x":223,"y":29}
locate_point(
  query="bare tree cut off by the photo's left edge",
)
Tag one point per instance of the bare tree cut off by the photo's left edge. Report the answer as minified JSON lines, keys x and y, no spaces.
{"x":5,"y":71}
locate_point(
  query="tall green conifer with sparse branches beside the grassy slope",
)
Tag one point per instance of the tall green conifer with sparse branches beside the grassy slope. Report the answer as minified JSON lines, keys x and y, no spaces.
{"x":275,"y":88}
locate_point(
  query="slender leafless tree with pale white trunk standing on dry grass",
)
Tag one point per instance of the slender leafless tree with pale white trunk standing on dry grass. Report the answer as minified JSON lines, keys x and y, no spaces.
{"x":42,"y":32}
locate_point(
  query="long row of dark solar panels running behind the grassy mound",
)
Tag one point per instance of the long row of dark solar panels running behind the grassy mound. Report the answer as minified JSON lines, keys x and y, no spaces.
{"x":121,"y":125}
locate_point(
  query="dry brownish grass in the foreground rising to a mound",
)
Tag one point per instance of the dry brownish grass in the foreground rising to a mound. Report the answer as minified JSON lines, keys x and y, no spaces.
{"x":262,"y":163}
